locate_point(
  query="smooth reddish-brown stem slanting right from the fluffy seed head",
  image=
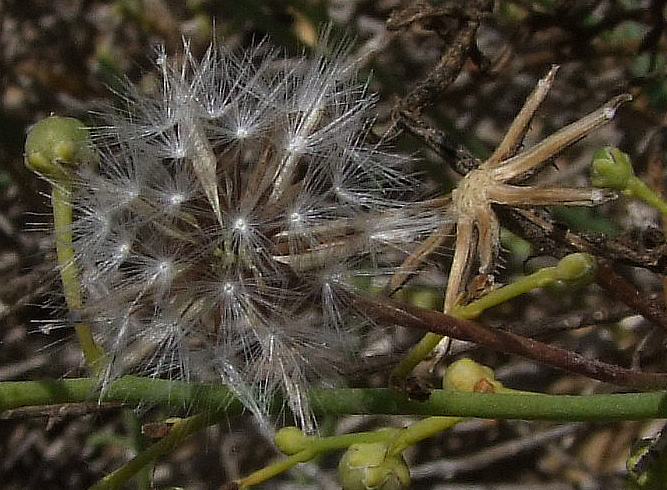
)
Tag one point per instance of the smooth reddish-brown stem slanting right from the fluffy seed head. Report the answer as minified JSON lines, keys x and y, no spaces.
{"x":388,"y":311}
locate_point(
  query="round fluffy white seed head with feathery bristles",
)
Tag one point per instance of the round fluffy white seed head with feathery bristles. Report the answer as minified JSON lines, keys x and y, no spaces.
{"x":228,"y":212}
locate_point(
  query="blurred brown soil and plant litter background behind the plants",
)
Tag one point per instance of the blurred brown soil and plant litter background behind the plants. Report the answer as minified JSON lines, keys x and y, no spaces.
{"x":66,"y":57}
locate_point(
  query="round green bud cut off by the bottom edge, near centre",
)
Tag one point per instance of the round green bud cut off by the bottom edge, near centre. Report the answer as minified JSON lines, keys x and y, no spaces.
{"x":368,"y":466}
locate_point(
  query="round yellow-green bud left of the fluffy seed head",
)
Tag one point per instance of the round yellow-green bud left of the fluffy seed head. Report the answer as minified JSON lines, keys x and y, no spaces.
{"x":55,"y":143}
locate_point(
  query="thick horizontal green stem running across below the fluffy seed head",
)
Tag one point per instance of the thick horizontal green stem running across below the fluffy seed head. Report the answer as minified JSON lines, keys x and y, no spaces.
{"x":181,"y":396}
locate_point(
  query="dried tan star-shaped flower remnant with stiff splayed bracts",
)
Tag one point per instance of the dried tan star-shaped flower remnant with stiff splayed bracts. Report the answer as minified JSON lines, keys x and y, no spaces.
{"x":496,"y":181}
